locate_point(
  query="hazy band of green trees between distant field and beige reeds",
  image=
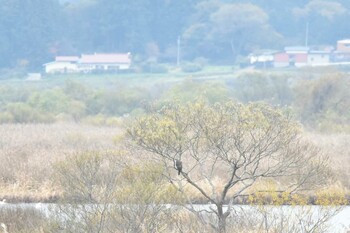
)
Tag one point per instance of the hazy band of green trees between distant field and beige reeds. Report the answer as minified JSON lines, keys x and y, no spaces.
{"x":321,"y":104}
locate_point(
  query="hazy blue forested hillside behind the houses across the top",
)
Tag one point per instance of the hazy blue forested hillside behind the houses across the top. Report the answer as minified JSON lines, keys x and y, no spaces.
{"x":33,"y":32}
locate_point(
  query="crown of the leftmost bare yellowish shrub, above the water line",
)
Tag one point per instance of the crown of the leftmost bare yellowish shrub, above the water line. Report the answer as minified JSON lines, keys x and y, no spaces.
{"x":88,"y":176}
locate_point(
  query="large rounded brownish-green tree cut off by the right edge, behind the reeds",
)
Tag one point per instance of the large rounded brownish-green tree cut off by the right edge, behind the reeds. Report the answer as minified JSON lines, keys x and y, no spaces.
{"x":324,"y":103}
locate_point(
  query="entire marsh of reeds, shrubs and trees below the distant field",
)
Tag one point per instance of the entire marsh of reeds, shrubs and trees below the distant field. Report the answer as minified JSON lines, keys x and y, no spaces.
{"x":111,"y":144}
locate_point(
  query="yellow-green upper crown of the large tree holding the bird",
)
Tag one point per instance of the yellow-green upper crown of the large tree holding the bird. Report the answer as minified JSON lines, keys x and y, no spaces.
{"x":173,"y":128}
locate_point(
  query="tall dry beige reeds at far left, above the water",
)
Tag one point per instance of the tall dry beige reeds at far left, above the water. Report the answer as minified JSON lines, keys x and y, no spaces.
{"x":27,"y":152}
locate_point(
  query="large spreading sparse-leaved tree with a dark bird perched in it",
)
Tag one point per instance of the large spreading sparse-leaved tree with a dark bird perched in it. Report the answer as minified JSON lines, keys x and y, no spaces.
{"x":226,"y":148}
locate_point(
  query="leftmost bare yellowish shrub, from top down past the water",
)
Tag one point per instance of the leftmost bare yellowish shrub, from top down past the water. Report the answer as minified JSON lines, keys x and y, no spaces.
{"x":88,"y":180}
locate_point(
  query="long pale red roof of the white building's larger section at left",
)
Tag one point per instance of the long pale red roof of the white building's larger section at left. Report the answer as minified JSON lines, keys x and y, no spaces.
{"x":105,"y":58}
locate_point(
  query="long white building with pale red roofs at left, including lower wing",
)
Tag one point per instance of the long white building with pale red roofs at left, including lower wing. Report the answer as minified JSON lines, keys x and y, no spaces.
{"x":89,"y":63}
